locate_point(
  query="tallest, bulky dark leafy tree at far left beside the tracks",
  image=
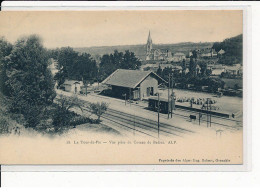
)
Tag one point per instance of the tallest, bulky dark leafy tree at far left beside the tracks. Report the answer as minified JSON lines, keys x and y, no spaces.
{"x":29,"y":81}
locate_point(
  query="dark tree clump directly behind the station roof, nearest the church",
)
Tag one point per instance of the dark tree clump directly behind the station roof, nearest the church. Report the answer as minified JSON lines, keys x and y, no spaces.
{"x":118,"y":60}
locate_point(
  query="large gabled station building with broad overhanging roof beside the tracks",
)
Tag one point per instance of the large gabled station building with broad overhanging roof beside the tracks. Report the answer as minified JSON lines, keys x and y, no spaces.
{"x":133,"y":84}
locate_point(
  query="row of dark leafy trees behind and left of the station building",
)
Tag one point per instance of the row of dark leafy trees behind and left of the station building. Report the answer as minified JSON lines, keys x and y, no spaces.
{"x":82,"y":67}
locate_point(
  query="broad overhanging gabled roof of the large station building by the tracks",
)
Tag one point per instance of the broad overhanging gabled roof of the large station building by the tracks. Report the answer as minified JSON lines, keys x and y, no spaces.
{"x":128,"y":78}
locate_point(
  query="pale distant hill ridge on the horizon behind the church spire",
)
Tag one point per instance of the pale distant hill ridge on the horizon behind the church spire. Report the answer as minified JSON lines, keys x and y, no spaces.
{"x":140,"y":49}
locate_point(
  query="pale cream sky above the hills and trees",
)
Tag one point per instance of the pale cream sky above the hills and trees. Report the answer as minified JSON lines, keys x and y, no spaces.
{"x":110,"y":28}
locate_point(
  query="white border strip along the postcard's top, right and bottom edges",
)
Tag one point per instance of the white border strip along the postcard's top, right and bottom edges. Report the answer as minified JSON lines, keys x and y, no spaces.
{"x":69,"y":6}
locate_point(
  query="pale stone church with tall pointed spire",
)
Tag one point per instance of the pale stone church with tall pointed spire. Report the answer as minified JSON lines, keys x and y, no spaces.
{"x":156,"y":54}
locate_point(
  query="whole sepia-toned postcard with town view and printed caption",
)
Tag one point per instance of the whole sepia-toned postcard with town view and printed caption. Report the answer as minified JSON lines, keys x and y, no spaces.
{"x":122,"y":87}
